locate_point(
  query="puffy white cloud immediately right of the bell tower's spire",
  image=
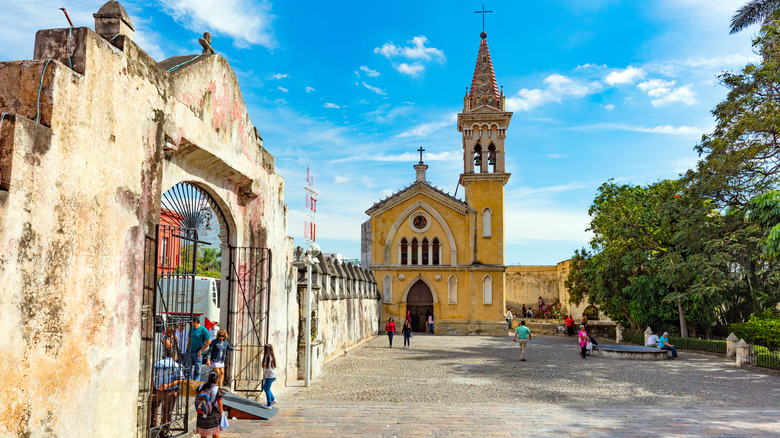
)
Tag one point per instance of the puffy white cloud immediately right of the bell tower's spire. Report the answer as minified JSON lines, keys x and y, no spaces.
{"x":559,"y":88}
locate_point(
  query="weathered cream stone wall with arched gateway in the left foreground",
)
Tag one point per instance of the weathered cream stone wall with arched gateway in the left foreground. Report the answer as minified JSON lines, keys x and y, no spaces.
{"x":81,"y":189}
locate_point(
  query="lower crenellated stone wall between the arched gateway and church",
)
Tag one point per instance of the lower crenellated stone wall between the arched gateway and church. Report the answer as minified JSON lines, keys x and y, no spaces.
{"x":347,"y":304}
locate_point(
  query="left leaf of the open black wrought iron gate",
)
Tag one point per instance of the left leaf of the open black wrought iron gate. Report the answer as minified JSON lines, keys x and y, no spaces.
{"x":166,"y":318}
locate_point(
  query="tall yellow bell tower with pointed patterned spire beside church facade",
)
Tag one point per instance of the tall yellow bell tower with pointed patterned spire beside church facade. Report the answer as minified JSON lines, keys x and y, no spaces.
{"x":483,"y":123}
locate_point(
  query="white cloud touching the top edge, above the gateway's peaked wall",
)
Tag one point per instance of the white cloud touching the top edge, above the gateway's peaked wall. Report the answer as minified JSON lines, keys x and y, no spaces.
{"x":247,"y":22}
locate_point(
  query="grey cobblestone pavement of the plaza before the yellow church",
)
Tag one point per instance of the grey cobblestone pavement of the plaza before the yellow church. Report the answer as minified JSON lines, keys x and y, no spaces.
{"x":468,"y":385}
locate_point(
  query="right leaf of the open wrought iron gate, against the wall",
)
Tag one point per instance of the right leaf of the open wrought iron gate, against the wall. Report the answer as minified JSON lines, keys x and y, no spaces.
{"x":248,"y":315}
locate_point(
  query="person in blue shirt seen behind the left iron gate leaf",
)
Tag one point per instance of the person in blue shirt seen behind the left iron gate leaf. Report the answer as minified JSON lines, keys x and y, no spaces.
{"x":168,"y":375}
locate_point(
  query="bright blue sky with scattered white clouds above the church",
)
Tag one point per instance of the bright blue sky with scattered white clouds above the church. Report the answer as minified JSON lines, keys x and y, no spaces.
{"x":599,"y":89}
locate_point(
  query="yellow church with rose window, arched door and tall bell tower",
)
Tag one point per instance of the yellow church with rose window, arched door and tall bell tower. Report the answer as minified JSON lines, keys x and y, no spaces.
{"x":432,"y":253}
